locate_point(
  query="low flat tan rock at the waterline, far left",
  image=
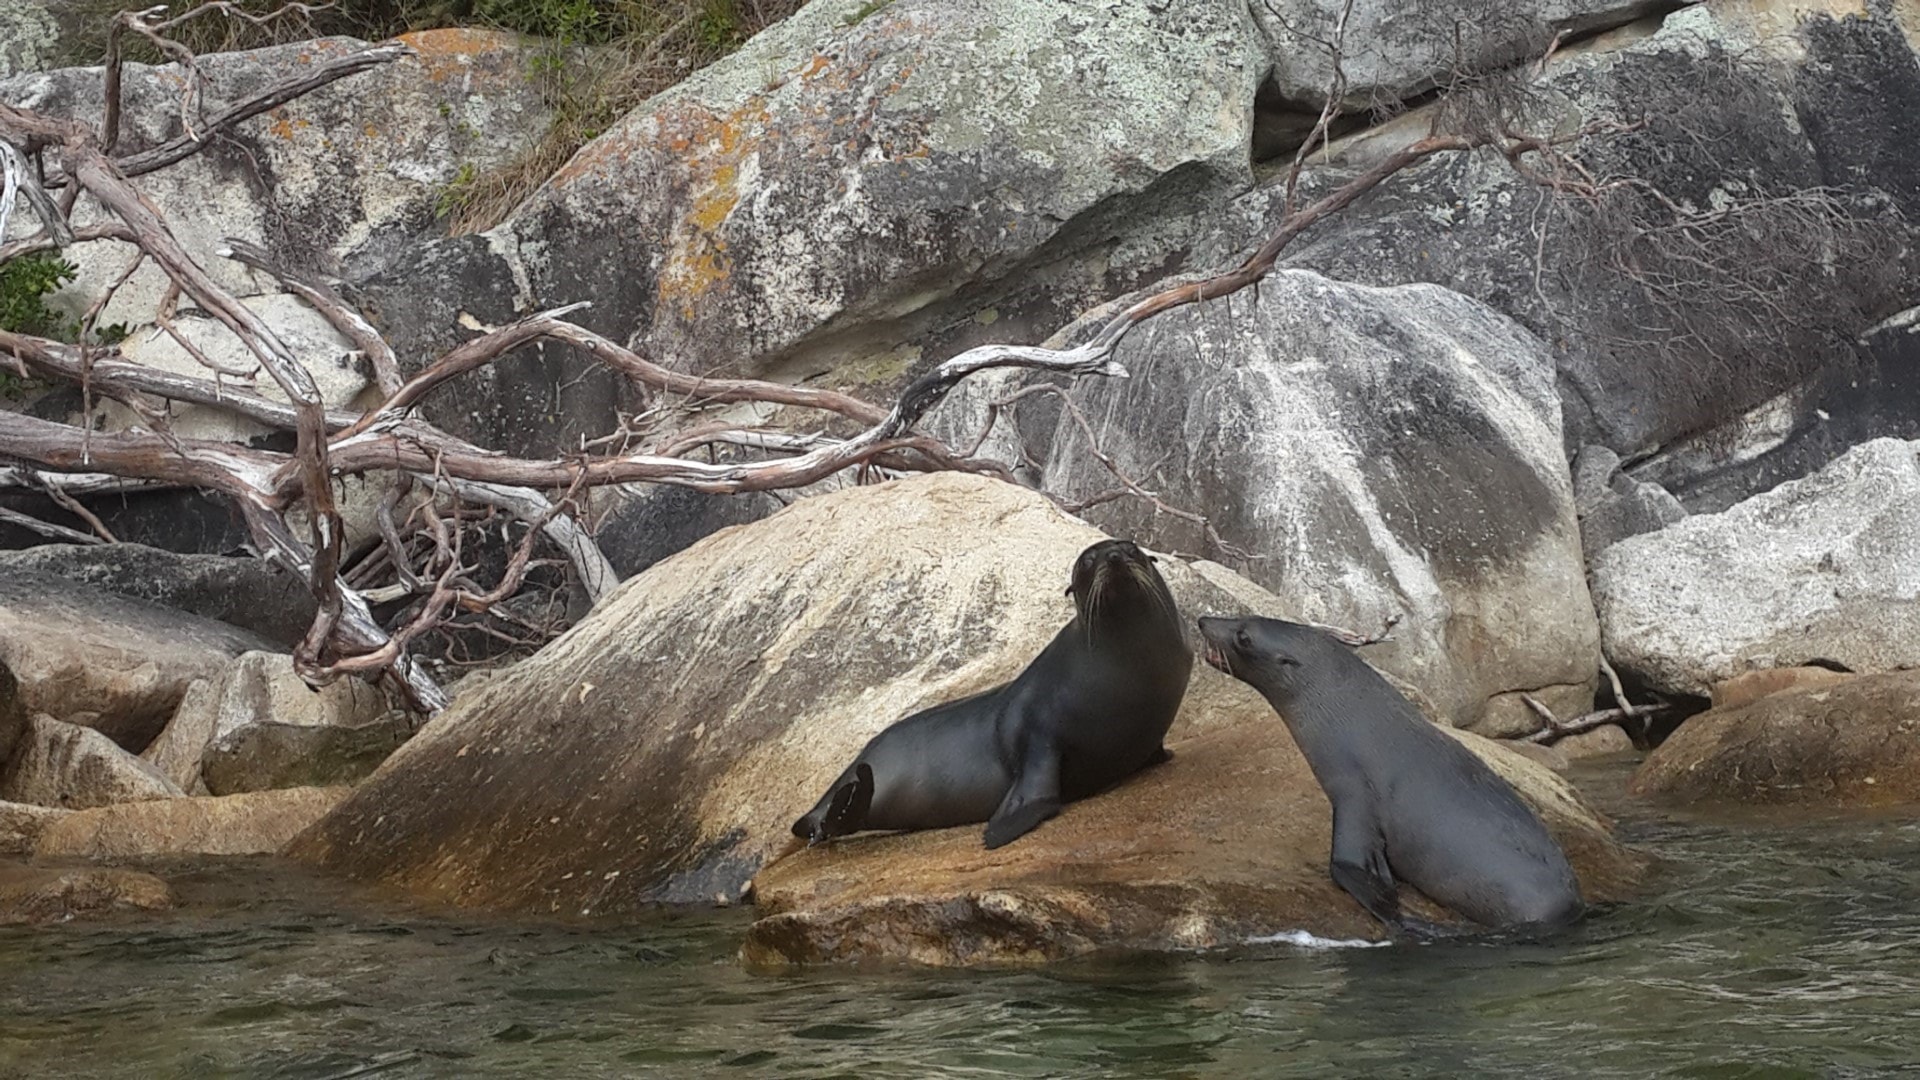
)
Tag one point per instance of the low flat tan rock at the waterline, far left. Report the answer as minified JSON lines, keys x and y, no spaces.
{"x":256,"y":823}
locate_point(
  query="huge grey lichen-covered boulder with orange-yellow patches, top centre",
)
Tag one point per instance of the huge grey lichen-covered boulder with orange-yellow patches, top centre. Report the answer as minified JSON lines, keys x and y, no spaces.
{"x":840,"y":184}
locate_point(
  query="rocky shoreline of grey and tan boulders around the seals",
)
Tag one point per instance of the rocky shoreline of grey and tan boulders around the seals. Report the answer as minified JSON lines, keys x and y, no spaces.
{"x":1600,"y":516}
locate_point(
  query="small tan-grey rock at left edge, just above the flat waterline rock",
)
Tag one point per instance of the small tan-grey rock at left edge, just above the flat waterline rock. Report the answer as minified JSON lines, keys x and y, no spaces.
{"x":74,"y":768}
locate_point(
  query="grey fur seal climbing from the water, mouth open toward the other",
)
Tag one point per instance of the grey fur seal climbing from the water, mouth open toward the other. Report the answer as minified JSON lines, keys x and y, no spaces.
{"x":1410,"y":804}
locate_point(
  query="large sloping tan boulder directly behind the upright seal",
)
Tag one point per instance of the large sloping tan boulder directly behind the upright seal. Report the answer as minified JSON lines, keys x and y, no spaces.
{"x":663,"y":747}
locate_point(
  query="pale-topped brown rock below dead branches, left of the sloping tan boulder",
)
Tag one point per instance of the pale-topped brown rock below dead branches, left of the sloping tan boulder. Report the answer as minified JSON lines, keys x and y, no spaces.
{"x":262,"y":727}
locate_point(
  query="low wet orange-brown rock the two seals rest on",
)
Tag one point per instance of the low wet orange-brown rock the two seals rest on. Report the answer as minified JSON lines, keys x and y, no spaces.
{"x":1224,"y":845}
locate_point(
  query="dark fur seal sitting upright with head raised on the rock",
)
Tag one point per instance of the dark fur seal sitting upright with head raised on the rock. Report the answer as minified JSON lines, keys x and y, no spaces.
{"x":1090,"y":712}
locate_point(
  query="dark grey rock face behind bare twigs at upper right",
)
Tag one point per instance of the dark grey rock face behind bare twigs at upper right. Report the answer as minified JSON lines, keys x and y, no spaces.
{"x":1785,"y":101}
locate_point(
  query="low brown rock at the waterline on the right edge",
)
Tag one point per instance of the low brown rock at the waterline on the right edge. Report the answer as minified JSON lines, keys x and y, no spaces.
{"x":1827,"y":745}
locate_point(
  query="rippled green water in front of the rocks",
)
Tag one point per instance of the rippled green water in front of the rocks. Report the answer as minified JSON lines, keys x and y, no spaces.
{"x":1771,"y":950}
